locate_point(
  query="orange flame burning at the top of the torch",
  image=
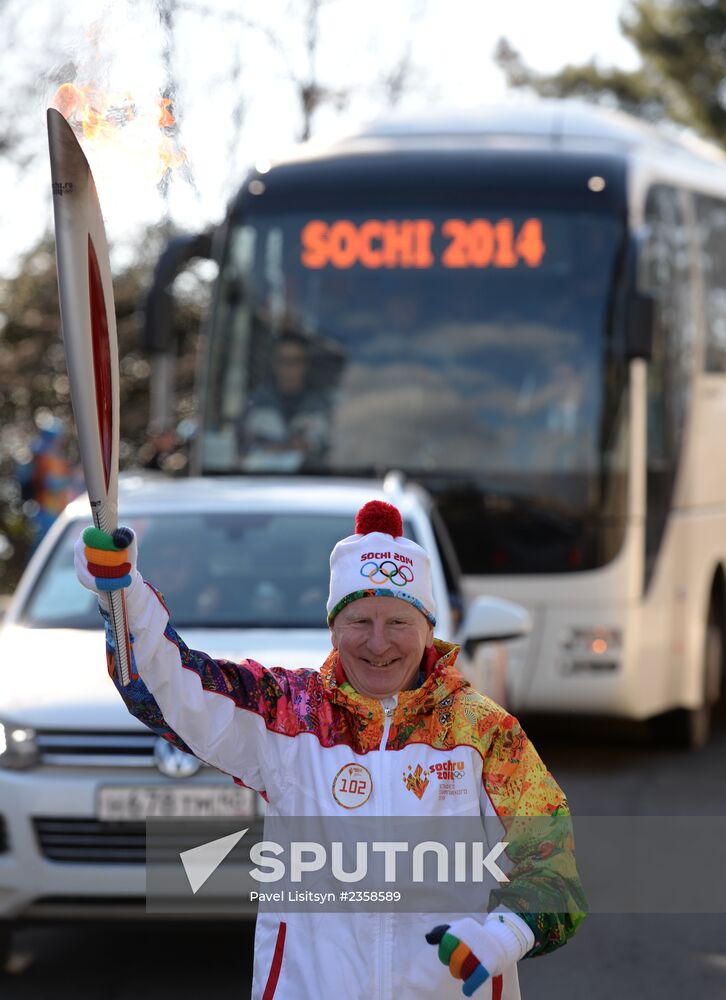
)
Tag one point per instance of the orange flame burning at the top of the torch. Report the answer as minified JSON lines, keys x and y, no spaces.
{"x":119,"y":121}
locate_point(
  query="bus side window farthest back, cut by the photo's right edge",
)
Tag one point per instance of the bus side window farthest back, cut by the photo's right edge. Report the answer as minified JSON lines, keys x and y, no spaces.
{"x":711,"y":216}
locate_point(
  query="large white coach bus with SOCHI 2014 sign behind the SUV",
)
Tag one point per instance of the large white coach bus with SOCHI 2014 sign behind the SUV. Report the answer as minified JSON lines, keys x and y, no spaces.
{"x":526,"y":313}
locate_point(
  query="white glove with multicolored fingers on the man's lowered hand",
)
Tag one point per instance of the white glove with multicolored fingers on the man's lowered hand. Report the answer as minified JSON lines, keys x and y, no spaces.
{"x":475,"y":951}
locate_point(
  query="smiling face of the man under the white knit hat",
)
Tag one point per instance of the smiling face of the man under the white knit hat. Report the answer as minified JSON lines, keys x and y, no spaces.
{"x":381,"y":641}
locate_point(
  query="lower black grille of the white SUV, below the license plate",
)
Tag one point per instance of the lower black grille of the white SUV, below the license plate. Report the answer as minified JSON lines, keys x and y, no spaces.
{"x":91,"y":841}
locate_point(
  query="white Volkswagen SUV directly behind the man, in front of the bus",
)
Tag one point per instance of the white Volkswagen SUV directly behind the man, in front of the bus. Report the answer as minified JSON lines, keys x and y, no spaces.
{"x":243,"y":565}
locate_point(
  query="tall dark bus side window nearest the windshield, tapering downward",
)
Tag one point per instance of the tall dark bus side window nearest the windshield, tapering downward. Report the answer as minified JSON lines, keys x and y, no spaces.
{"x":666,"y":273}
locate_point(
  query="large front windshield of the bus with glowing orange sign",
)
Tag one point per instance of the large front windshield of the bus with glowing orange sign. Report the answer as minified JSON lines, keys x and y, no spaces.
{"x":470,"y":349}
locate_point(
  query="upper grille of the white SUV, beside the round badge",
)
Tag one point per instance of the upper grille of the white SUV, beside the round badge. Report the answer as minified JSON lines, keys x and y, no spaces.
{"x":68,"y":748}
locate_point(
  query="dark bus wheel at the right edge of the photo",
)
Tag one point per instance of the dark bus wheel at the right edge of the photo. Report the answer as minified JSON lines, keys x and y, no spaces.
{"x":690,"y":728}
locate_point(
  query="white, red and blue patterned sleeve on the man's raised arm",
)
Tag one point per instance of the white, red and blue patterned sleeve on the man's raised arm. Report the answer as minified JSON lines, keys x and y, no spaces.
{"x":220,"y":711}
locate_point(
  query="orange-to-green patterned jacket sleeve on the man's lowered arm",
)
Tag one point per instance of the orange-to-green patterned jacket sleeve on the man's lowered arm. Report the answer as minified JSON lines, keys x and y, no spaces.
{"x":544,"y":887}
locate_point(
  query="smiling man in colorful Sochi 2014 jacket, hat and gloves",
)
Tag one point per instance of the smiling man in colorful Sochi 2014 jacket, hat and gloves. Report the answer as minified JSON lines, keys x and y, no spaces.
{"x":388,"y":694}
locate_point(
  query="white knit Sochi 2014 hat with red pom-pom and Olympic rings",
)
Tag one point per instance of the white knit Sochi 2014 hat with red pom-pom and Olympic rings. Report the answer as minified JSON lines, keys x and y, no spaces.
{"x":377,"y":561}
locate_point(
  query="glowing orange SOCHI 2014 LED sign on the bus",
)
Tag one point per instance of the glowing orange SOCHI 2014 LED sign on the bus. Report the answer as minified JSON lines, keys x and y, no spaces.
{"x":409,"y":243}
